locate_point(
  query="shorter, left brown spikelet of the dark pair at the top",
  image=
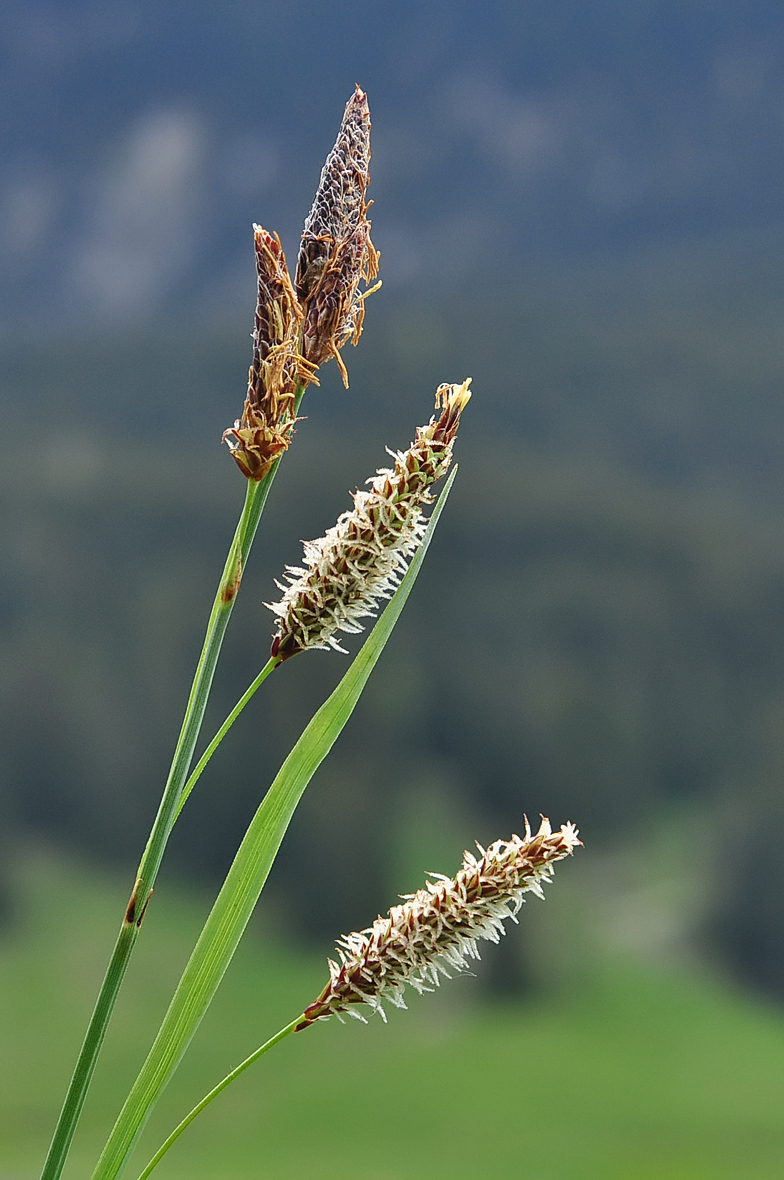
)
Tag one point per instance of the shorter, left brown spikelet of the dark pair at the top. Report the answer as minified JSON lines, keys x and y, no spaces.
{"x":265,"y":431}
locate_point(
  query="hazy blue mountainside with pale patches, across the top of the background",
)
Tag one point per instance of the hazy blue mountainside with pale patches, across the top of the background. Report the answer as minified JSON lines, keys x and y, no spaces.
{"x":141,"y":140}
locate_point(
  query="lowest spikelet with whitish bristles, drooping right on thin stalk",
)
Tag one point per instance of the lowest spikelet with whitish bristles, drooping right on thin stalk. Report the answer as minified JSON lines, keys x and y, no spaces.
{"x":436,"y":930}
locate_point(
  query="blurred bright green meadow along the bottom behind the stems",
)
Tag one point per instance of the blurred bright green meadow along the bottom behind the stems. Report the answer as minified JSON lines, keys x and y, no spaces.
{"x":631,"y":1073}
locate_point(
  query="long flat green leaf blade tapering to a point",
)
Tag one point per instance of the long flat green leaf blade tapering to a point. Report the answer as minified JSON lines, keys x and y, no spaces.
{"x":246,"y":879}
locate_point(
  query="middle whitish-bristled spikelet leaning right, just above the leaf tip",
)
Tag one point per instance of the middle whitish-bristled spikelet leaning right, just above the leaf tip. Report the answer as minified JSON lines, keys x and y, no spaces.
{"x":364,"y":556}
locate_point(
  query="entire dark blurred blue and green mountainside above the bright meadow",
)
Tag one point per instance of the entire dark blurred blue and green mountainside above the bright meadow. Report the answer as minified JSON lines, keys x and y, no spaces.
{"x":579,"y":206}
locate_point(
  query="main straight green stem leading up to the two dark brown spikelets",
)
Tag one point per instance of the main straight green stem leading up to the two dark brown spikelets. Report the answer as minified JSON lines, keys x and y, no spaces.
{"x":168,"y":811}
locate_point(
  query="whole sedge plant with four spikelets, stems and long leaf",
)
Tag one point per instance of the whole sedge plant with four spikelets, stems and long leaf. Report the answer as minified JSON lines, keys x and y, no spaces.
{"x":373,"y":555}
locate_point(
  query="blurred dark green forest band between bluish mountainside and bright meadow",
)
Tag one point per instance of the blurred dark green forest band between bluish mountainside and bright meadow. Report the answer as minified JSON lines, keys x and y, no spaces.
{"x":597,"y":634}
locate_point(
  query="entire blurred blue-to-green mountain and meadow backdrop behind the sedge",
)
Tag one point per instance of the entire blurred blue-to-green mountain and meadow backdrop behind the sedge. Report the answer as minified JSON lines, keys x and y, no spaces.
{"x":583,"y":207}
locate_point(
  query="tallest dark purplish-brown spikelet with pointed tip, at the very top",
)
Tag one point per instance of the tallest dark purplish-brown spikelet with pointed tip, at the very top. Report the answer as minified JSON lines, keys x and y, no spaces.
{"x":337,"y":253}
